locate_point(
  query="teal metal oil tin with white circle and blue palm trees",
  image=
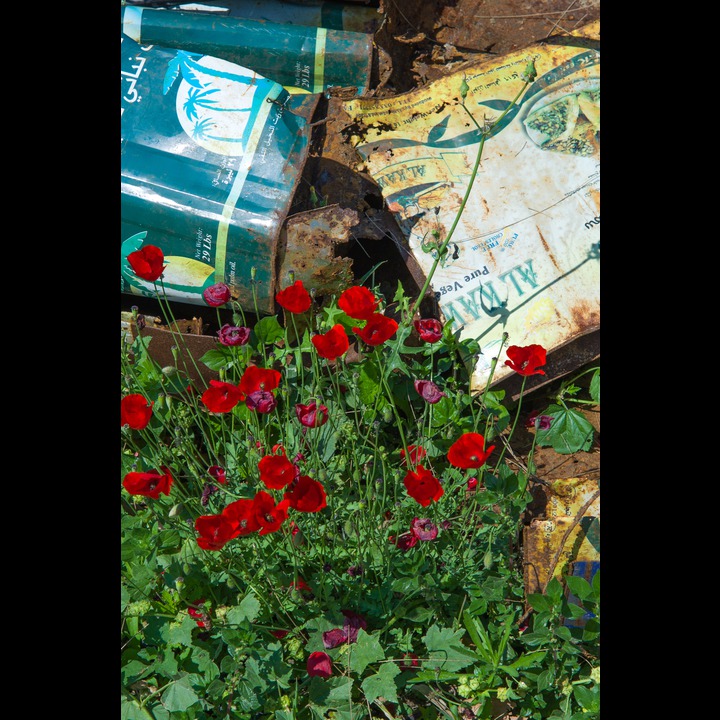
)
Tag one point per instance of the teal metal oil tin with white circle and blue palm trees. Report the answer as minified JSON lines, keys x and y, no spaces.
{"x":211,"y":153}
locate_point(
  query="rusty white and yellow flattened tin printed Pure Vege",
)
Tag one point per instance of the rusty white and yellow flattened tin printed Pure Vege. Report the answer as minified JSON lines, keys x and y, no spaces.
{"x":524,"y":256}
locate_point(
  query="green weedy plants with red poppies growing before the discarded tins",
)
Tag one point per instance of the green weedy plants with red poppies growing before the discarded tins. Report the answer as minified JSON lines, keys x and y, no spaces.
{"x":313,"y":537}
